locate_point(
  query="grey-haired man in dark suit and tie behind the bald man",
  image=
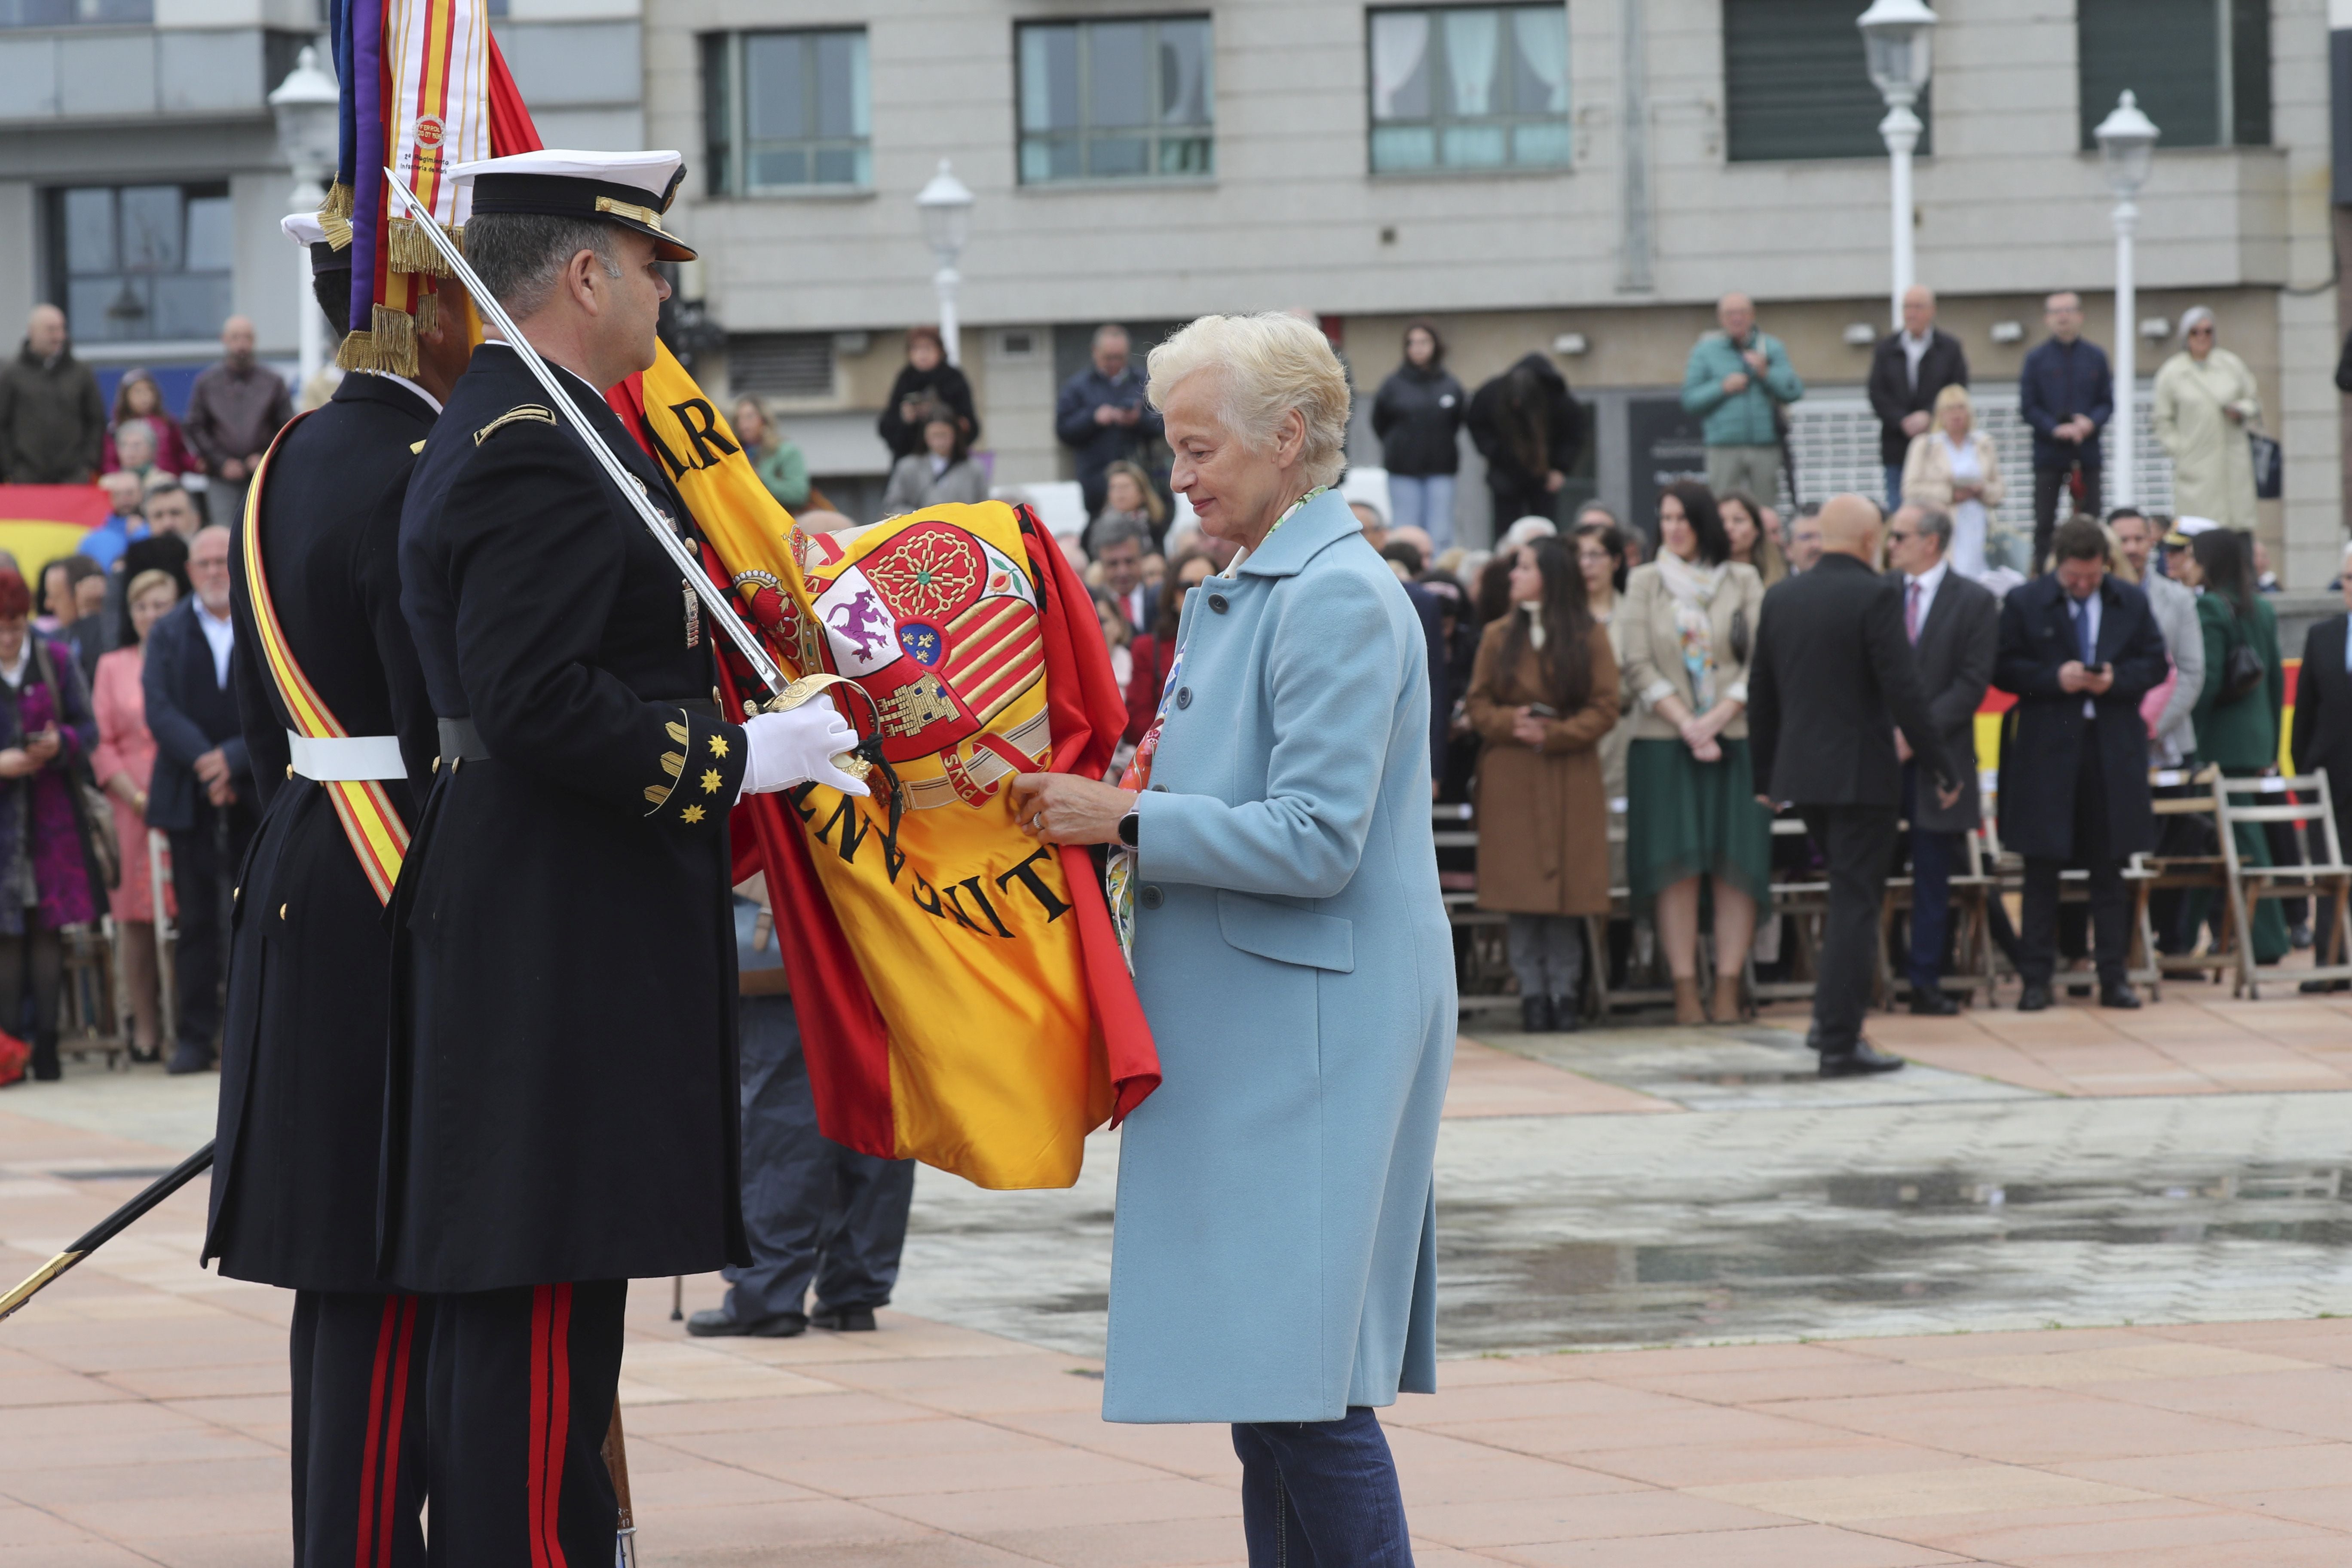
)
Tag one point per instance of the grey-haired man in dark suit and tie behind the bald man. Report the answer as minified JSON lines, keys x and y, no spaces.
{"x":1956,"y":629}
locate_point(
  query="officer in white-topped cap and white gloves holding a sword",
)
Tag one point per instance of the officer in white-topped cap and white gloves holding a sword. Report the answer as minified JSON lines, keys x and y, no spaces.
{"x":563,"y":1094}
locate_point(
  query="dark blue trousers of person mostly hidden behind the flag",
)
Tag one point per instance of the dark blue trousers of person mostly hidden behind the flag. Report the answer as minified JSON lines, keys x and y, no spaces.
{"x":813,"y":1209}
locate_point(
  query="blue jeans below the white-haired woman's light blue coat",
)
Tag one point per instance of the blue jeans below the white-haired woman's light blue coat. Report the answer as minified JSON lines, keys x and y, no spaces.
{"x":1321,"y":1494}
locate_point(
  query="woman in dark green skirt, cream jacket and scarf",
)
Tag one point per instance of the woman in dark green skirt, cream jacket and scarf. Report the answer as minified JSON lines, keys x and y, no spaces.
{"x":1692,"y":810}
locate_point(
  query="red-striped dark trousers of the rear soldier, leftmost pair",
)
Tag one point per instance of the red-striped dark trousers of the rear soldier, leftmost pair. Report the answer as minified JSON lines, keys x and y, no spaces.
{"x":359,"y":1428}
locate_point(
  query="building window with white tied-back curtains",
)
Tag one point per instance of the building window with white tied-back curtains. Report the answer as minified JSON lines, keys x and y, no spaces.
{"x":1469,"y":88}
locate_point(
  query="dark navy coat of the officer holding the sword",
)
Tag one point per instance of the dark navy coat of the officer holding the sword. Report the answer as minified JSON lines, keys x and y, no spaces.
{"x":563,"y":1092}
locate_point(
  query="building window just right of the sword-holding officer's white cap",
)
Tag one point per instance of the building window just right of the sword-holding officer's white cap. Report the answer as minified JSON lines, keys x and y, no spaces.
{"x":787,"y":112}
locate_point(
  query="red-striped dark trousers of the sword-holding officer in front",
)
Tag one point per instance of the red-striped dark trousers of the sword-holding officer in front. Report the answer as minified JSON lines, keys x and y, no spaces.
{"x":519,"y":1400}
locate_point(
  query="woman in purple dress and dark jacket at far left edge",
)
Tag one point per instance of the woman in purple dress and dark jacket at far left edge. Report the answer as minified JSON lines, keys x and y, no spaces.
{"x":46,"y":873}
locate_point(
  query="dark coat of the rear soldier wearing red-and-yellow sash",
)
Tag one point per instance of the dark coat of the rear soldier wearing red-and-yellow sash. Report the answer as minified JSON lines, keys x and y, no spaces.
{"x":309,"y":963}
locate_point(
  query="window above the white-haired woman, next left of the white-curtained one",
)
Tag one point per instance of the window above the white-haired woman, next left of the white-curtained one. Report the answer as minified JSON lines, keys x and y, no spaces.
{"x":1116,"y":100}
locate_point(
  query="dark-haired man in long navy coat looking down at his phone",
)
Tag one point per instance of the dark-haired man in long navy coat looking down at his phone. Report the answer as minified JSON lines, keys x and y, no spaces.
{"x":2078,"y":650}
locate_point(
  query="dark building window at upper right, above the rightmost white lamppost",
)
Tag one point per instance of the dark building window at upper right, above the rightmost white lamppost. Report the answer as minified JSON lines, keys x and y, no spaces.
{"x":2200,"y":69}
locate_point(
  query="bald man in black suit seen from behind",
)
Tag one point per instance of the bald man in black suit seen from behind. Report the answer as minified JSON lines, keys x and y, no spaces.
{"x":1831,"y":683}
